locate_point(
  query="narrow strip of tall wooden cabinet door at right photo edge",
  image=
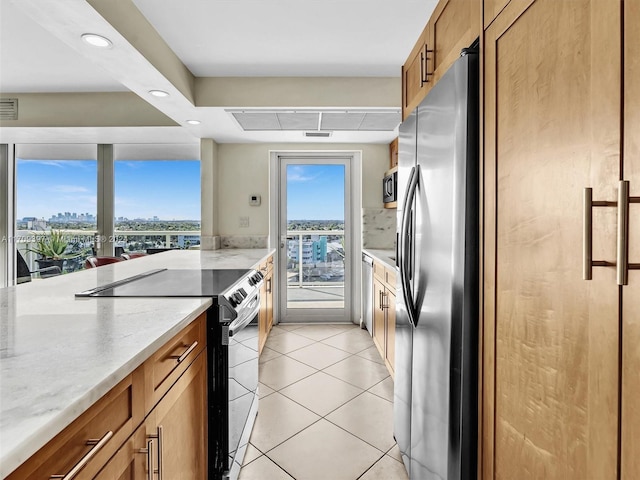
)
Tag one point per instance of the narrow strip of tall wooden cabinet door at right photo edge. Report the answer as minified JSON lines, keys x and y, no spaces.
{"x":631,"y":292}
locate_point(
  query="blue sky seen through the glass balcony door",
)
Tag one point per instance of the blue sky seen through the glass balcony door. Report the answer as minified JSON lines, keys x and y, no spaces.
{"x":315,"y":192}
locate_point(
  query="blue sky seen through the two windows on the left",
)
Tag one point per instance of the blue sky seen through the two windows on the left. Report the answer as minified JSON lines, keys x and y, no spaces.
{"x":169,"y":190}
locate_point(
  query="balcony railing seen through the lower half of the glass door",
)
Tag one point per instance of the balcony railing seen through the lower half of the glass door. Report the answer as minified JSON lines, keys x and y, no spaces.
{"x":312,"y":261}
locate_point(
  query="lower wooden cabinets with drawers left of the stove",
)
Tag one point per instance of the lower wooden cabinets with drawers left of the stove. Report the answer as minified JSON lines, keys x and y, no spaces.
{"x":168,"y":392}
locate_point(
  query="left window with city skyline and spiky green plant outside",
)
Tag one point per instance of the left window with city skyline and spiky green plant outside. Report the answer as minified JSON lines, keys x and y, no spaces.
{"x":56,"y":195}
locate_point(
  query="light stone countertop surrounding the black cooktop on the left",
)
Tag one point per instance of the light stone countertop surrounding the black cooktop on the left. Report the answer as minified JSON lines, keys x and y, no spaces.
{"x":60,"y":354}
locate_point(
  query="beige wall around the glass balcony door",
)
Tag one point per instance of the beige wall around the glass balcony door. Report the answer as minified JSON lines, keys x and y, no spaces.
{"x":243,"y":169}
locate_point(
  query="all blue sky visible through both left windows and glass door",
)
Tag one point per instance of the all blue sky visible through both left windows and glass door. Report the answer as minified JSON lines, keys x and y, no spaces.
{"x":66,"y":190}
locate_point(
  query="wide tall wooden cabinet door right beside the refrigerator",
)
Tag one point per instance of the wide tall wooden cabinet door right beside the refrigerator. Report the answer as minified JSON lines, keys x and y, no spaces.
{"x":552,"y":110}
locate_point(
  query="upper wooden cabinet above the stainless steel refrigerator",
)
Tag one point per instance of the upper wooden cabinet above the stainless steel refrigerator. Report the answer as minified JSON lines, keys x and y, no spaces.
{"x":454,"y":25}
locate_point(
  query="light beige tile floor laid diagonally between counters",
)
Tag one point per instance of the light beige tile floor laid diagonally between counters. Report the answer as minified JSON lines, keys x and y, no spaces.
{"x":326,"y":410}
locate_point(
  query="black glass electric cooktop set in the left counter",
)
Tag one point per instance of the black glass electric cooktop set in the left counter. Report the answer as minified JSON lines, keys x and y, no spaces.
{"x":170,"y":283}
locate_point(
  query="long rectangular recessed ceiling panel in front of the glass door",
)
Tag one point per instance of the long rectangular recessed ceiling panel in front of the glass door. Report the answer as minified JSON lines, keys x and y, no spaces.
{"x":318,"y":120}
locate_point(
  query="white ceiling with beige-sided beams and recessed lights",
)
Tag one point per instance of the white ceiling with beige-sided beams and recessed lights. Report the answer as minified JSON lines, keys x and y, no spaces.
{"x":214,"y":57}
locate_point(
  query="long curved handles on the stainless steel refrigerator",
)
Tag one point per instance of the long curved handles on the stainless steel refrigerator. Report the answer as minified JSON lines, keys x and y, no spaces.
{"x":406,"y":243}
